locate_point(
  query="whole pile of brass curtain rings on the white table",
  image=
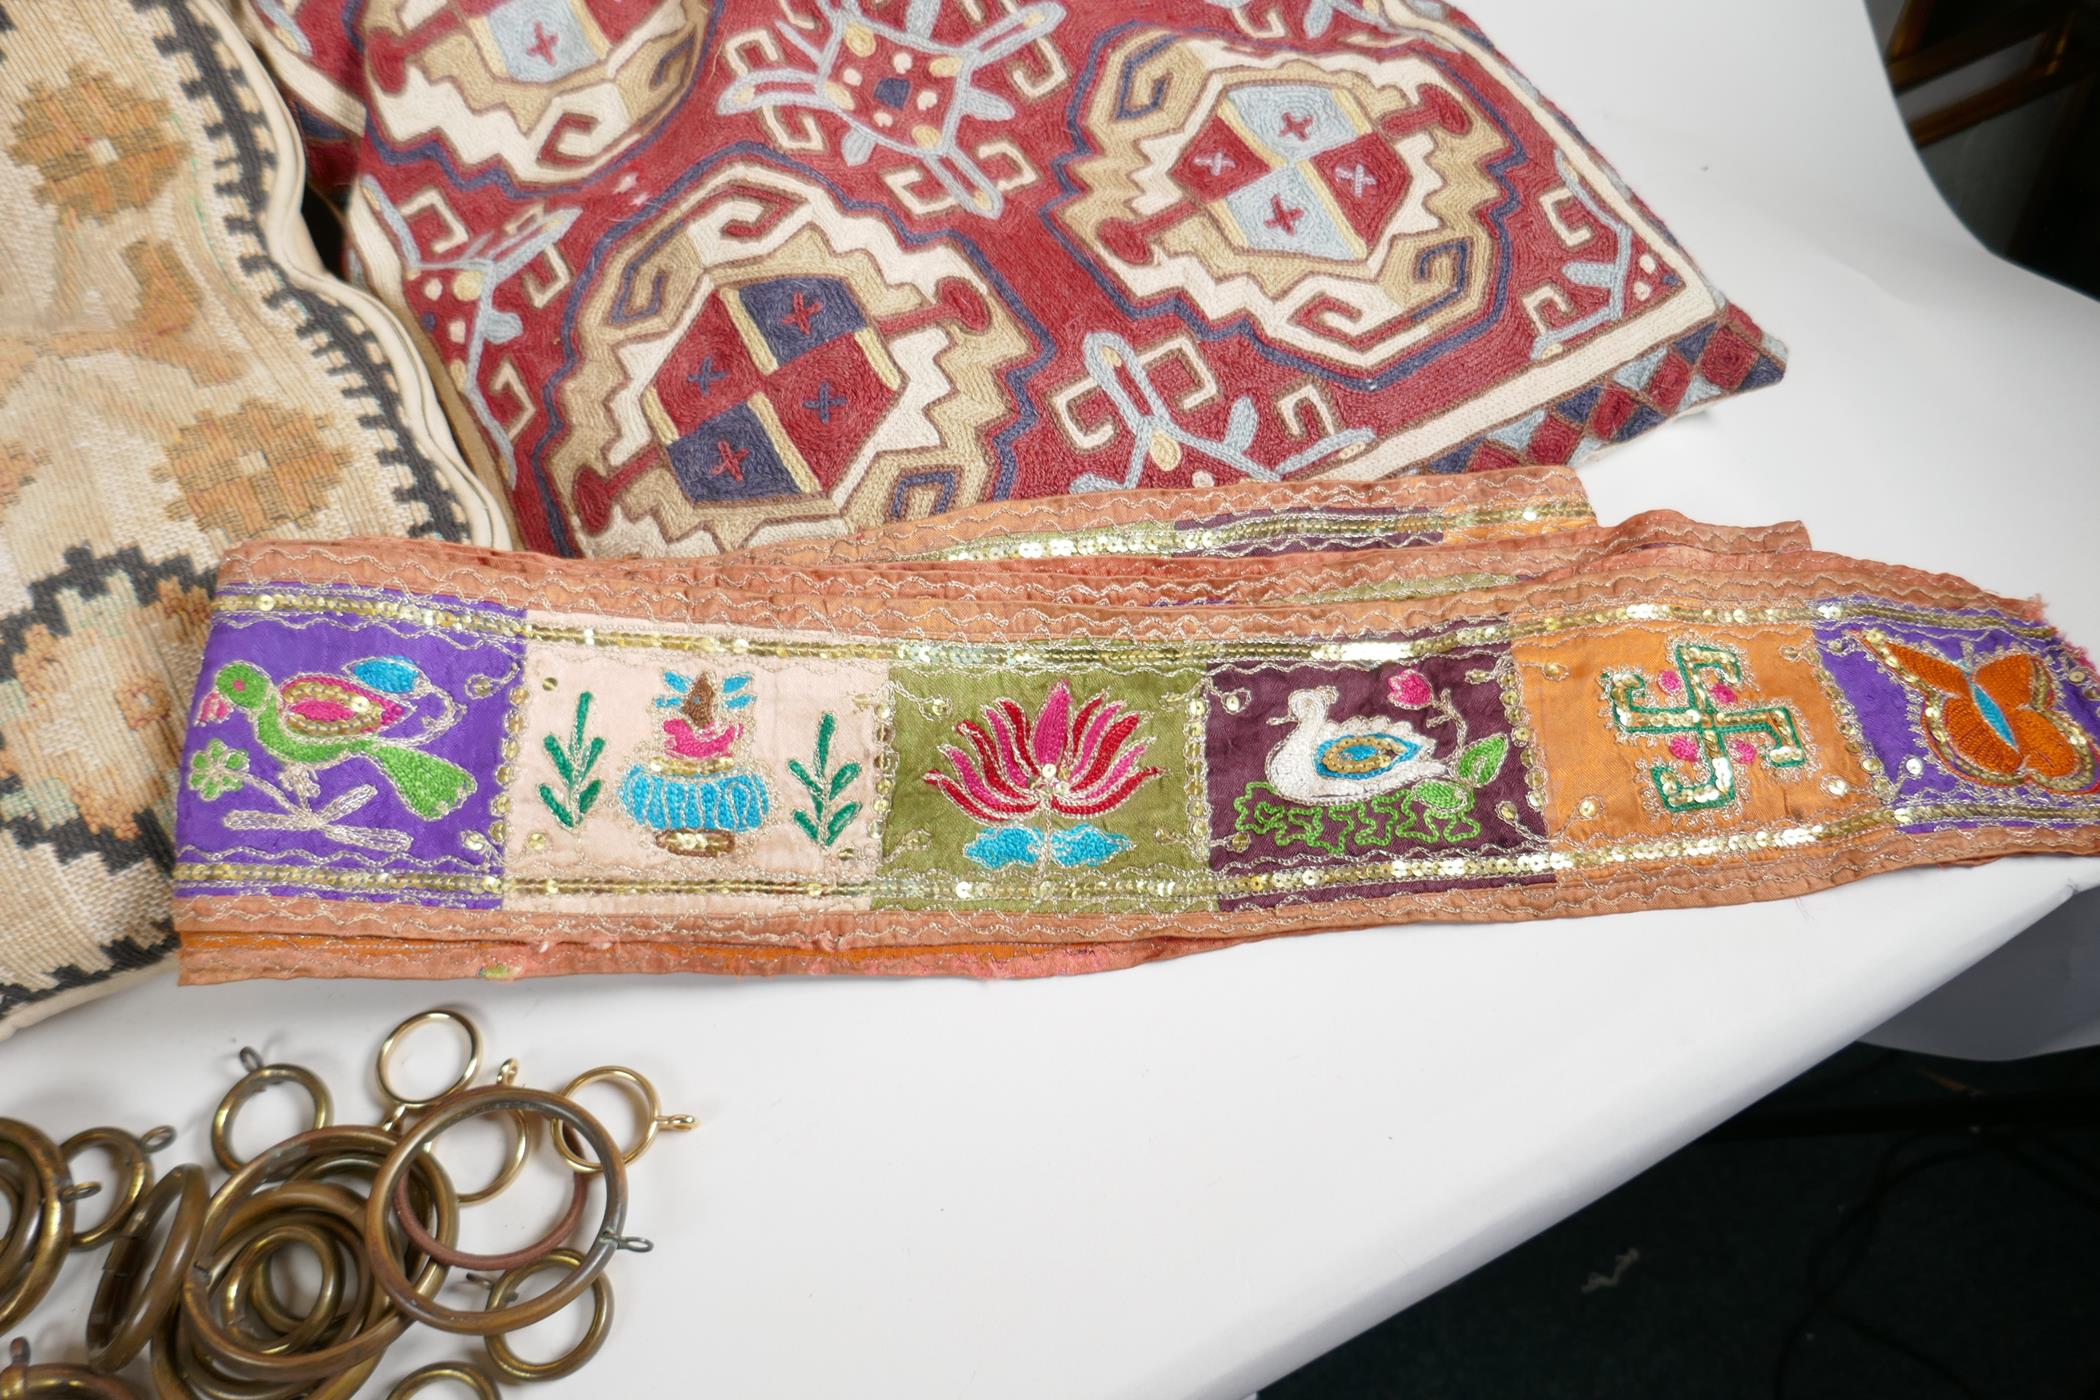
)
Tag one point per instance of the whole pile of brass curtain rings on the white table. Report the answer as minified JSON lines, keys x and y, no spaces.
{"x":198,"y":1281}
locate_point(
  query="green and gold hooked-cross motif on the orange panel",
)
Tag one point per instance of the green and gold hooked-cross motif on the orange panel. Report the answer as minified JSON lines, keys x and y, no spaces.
{"x":1706,"y":723}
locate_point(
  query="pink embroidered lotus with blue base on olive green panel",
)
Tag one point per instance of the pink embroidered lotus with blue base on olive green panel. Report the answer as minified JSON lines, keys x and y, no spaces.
{"x":1057,"y":763}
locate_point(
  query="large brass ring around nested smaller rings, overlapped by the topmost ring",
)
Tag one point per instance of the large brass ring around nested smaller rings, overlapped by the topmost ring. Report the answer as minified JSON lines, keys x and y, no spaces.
{"x":383,"y":1256}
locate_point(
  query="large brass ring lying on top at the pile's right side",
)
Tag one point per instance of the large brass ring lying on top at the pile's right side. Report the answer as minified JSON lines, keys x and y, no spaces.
{"x":471,"y":1105}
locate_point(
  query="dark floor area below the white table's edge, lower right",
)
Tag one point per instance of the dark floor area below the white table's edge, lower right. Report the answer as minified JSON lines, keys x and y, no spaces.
{"x":1868,"y":1258}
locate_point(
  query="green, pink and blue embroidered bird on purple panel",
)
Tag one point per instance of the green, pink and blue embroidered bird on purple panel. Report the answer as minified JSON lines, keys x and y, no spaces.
{"x":318,"y":721}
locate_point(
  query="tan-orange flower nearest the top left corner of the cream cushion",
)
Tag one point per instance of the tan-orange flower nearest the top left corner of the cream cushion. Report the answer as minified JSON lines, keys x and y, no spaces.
{"x":100,"y":146}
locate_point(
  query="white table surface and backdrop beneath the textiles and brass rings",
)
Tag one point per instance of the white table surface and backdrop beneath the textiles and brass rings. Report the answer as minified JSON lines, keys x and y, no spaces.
{"x":1190,"y":1179}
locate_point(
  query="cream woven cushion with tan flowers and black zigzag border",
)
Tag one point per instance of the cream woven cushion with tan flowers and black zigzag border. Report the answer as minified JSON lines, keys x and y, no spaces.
{"x":177,"y":375}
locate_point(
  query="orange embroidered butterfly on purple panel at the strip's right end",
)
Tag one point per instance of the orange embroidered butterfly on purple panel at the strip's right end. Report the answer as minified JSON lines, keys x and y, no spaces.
{"x":1992,"y":723}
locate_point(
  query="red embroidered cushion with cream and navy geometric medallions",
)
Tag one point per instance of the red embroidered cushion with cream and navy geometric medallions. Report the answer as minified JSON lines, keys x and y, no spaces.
{"x":705,"y":276}
